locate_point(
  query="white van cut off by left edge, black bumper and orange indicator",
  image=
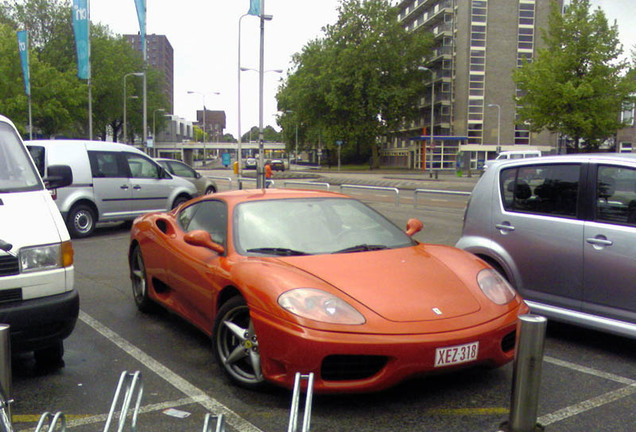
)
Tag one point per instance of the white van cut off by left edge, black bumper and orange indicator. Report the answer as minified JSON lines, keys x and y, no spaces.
{"x":37,"y":298}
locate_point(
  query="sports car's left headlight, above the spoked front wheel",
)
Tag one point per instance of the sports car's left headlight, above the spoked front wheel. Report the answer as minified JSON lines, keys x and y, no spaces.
{"x":320,"y":306}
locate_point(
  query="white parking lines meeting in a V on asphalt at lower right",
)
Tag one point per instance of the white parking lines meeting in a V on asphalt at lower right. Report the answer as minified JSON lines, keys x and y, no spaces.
{"x":589,"y":404}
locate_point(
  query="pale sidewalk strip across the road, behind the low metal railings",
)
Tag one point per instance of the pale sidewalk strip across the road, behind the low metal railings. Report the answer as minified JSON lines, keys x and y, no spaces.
{"x":405,"y":180}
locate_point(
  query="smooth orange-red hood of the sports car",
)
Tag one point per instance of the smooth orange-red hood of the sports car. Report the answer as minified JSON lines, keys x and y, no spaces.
{"x":401,"y":285}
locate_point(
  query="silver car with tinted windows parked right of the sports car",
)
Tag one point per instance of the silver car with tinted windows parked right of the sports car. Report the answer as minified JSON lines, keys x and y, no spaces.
{"x":562,"y":230}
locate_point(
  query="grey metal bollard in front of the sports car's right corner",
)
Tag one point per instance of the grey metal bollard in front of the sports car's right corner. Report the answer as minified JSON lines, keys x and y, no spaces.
{"x":526,"y":382}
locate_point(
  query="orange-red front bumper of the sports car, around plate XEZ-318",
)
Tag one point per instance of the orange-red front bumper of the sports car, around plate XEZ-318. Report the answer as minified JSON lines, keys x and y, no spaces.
{"x":372,"y":362}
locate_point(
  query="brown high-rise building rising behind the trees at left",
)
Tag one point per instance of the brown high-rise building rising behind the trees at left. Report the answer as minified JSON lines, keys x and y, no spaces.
{"x":161,"y":57}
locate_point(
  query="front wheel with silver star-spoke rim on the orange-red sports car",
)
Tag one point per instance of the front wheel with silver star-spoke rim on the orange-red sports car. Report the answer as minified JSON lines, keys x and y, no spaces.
{"x":236,"y":344}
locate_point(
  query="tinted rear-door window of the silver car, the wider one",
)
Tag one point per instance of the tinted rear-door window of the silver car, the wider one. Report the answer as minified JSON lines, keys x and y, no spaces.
{"x":550,"y":189}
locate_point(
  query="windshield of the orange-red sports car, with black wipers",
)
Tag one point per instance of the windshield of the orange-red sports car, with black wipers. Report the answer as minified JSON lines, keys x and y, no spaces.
{"x":308,"y":226}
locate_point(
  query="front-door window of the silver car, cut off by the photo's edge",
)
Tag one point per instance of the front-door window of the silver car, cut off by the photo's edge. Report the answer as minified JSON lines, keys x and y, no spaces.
{"x":616,"y":195}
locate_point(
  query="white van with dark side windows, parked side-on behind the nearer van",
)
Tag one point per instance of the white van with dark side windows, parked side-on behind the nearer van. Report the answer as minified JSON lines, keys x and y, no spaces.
{"x":112,"y":182}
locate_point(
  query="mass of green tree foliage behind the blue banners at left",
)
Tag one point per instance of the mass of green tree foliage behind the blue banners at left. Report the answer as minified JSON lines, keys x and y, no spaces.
{"x":59,"y":98}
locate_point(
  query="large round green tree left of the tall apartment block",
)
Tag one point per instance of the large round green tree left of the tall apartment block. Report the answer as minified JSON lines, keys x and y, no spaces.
{"x":358,"y":82}
